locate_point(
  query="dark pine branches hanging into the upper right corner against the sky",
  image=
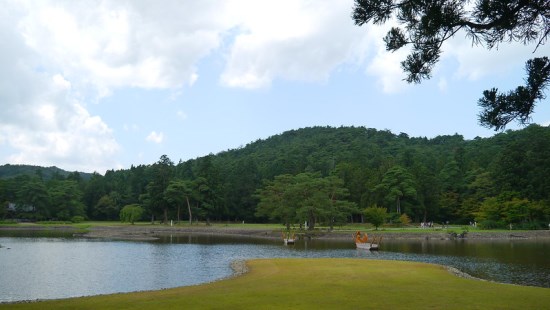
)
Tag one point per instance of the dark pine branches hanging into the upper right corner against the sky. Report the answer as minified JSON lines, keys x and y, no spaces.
{"x":426,"y":24}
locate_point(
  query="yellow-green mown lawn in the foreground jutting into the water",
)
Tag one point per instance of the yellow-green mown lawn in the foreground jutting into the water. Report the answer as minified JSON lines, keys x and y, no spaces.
{"x":324,"y":284}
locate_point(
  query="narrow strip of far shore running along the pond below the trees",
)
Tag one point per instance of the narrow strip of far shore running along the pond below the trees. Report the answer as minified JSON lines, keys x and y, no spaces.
{"x":154,"y":232}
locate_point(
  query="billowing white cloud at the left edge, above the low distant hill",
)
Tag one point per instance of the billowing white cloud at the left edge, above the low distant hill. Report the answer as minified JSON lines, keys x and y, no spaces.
{"x":42,"y":122}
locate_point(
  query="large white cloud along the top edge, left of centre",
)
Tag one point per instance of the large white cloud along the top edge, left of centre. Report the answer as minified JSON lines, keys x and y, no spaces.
{"x":115,"y":44}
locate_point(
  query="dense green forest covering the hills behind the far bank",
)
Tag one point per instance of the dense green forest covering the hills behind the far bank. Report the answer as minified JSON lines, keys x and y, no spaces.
{"x":322,"y":175}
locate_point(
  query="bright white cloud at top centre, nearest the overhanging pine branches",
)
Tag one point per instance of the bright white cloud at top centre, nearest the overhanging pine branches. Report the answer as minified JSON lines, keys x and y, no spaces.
{"x":294,"y":40}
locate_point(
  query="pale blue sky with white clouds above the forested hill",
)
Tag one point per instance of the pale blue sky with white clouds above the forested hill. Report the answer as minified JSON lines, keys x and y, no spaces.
{"x":97,"y":85}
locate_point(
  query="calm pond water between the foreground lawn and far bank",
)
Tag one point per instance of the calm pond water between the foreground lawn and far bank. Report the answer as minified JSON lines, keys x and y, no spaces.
{"x":60,"y":266}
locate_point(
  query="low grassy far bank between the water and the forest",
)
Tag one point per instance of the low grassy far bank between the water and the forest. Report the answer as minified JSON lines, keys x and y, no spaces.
{"x":148,"y":231}
